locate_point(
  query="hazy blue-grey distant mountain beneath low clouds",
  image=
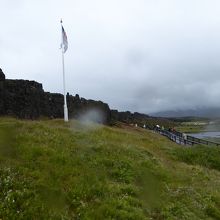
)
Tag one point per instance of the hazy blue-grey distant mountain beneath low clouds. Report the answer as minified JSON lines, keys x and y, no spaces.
{"x":198,"y":112}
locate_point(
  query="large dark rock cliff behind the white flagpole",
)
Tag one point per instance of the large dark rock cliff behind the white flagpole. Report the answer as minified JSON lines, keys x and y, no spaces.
{"x":27,"y":99}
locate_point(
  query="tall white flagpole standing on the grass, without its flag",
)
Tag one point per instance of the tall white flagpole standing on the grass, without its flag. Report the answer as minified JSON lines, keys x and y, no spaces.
{"x":65,"y":109}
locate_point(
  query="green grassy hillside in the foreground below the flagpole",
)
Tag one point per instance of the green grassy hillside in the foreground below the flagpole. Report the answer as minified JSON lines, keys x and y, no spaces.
{"x":52,"y":170}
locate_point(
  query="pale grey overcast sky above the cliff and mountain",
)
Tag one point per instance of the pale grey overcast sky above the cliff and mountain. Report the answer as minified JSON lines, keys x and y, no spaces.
{"x":137,"y":55}
